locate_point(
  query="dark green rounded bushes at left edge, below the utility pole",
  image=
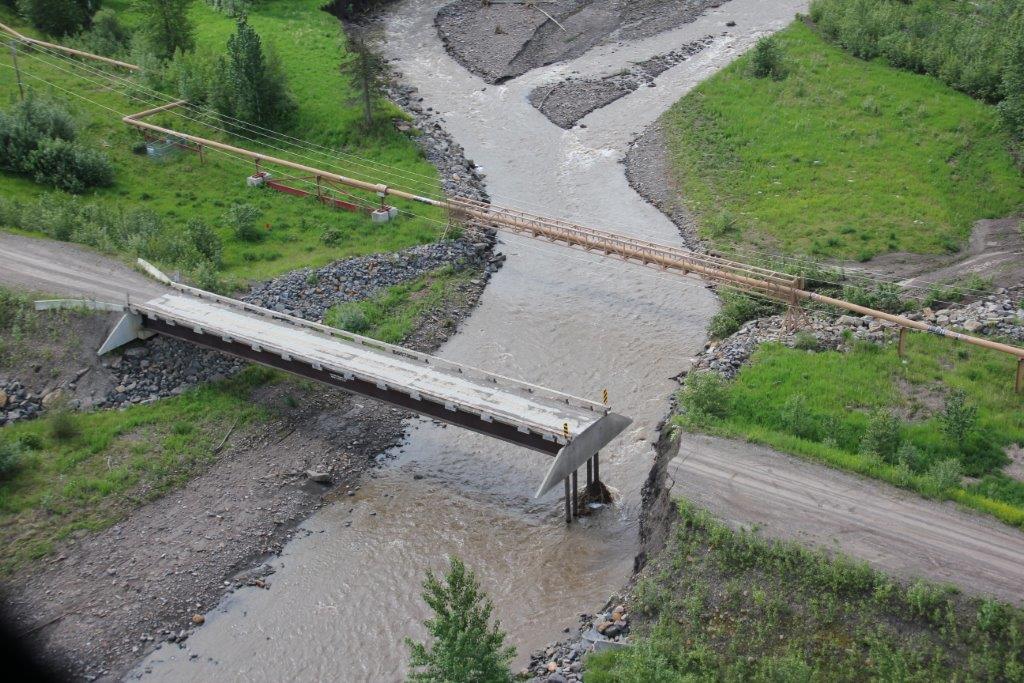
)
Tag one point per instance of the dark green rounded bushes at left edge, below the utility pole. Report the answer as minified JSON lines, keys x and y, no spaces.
{"x":37,"y":139}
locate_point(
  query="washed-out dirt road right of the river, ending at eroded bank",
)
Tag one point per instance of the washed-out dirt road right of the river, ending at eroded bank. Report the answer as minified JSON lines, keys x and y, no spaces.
{"x":894,"y":531}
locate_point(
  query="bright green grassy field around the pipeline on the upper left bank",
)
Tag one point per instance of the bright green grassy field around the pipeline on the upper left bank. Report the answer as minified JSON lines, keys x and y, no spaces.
{"x":312,"y":46}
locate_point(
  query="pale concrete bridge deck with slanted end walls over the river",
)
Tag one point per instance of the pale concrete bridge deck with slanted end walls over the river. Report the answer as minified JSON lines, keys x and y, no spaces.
{"x":572,"y":429}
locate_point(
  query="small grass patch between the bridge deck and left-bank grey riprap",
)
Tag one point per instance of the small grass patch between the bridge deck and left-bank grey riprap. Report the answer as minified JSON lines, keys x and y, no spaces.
{"x":393,"y":315}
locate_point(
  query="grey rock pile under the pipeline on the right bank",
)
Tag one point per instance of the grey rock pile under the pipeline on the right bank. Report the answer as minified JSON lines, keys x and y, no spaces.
{"x":1001,"y":314}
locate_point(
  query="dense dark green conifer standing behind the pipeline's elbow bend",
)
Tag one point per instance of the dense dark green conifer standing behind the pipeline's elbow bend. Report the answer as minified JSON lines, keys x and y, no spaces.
{"x":251,"y":84}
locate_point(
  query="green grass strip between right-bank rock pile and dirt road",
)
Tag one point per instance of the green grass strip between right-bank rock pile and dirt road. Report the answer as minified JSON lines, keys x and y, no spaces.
{"x":819,"y":406}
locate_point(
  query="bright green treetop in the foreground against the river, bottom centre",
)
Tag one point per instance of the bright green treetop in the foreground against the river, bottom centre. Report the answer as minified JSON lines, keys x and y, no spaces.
{"x":466,"y":646}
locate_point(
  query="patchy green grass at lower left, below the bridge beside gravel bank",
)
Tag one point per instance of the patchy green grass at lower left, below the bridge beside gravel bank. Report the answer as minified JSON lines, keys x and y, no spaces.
{"x":115,"y":461}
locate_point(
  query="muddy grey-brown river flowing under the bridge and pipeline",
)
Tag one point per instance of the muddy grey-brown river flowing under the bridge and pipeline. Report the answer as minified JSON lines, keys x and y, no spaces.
{"x":345,"y":596}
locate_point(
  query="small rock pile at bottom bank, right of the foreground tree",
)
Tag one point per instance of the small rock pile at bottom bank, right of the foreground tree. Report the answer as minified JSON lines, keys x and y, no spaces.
{"x":564,"y":662}
